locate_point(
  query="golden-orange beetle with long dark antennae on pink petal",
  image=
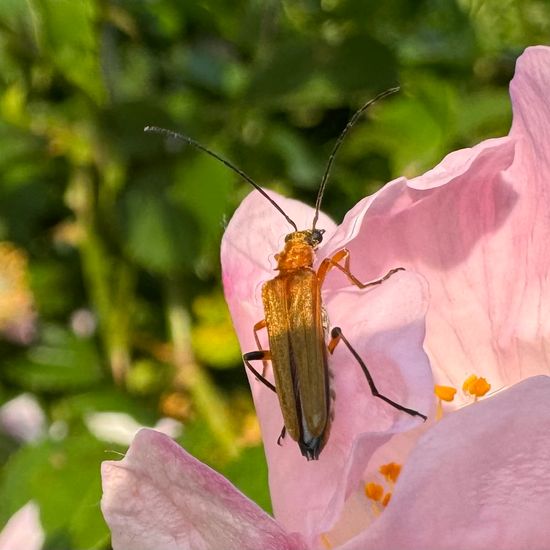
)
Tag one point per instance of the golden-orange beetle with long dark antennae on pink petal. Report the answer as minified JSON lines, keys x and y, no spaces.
{"x":296,"y":321}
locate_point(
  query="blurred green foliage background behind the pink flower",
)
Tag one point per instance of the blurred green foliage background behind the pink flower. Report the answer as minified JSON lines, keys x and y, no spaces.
{"x":126,"y":226}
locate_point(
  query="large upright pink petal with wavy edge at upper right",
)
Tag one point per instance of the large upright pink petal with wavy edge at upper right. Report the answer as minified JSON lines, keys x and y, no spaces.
{"x":476,"y":226}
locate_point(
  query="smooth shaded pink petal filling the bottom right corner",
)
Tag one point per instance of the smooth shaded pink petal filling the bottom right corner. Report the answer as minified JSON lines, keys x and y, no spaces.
{"x":479,"y":479}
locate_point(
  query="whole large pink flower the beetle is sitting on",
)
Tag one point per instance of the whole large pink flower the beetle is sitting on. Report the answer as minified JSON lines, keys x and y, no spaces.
{"x":477,"y":227}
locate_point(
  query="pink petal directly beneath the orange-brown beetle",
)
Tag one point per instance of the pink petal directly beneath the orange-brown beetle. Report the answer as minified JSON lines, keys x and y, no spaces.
{"x":386,"y":327}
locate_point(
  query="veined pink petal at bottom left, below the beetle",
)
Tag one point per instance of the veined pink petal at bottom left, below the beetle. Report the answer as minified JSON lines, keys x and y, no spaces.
{"x":161,"y":498}
